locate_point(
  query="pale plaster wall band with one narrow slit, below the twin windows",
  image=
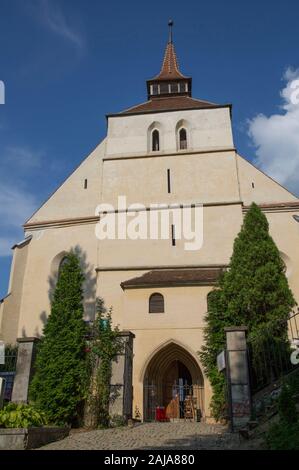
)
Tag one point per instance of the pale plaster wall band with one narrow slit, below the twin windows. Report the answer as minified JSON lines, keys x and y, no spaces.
{"x":203,"y":178}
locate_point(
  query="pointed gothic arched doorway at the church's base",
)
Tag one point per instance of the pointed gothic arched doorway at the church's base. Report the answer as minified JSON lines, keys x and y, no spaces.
{"x":172,"y":381}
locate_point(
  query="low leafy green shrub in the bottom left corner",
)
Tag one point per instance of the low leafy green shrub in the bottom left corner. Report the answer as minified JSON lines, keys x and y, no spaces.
{"x":21,"y":416}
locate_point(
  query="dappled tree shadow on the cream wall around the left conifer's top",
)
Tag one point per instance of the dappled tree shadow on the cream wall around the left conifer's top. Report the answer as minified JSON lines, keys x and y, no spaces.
{"x":89,"y":290}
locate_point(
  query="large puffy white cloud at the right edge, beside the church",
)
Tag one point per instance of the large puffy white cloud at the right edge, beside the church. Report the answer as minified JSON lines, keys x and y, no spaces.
{"x":276,"y":138}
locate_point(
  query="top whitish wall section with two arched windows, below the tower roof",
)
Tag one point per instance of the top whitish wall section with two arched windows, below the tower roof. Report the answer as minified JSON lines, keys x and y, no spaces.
{"x":209,"y":128}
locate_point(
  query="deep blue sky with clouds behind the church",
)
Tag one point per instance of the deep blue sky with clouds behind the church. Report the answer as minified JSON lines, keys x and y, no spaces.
{"x":66,"y":63}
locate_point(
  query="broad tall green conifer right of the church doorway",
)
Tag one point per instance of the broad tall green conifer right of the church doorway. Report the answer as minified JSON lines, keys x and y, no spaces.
{"x":253,"y":292}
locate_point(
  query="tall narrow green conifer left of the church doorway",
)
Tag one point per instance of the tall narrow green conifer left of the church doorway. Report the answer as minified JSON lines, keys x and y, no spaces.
{"x":58,"y":385}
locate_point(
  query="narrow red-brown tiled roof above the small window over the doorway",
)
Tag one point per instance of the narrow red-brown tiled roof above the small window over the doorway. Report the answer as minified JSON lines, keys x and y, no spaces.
{"x":174,"y":277}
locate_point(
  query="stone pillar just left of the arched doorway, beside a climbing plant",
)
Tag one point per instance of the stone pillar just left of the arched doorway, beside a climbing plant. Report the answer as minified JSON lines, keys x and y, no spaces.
{"x":121,"y":380}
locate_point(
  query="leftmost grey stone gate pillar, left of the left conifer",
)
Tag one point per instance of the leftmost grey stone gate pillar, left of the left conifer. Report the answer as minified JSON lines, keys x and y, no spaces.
{"x":24,"y":369}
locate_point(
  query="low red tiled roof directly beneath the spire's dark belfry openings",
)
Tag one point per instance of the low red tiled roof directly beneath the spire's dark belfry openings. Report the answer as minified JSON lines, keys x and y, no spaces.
{"x":169,"y":103}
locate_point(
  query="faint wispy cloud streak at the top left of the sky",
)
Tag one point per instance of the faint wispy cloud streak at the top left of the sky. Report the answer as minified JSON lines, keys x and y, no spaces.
{"x":54,"y":18}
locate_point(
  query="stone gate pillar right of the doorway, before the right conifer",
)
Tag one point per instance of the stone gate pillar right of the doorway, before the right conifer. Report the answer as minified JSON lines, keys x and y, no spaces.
{"x":238,"y":381}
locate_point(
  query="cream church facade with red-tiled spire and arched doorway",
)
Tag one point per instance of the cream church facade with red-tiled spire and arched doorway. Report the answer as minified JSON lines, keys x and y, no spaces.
{"x":173,"y":150}
